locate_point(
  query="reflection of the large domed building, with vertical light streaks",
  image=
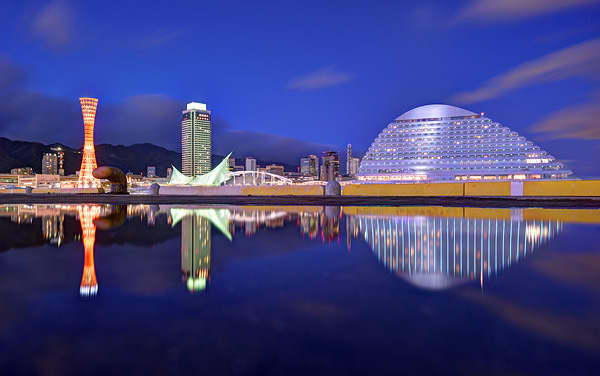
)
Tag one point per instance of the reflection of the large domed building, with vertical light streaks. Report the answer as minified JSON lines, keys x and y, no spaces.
{"x":437,"y":252}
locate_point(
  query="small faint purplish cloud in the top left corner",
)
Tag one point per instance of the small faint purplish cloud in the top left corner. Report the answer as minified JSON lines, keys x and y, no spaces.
{"x":54,"y":24}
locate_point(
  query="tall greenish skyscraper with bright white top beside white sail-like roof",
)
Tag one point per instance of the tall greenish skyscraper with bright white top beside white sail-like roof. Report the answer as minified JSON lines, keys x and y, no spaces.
{"x":196,"y":145}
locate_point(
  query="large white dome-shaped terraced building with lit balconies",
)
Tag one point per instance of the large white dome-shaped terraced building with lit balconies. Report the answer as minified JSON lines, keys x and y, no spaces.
{"x":446,"y":143}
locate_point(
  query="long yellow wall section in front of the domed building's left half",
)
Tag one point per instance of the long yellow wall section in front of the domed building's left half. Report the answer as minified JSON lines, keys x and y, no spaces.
{"x":418,"y":189}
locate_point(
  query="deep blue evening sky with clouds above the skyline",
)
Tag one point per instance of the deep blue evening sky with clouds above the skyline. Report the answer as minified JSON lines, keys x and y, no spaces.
{"x":285,"y":78}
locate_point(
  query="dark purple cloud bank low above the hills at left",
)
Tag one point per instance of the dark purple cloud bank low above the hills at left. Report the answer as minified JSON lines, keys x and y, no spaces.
{"x":152,"y":118}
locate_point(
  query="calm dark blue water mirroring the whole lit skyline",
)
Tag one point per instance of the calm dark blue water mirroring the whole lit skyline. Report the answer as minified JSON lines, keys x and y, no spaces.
{"x":298,"y":290}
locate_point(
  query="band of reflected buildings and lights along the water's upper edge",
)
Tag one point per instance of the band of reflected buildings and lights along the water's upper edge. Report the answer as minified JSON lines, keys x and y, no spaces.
{"x":432,"y":248}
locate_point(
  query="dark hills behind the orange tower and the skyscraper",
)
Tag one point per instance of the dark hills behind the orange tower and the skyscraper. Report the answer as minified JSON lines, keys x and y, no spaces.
{"x":134,"y":158}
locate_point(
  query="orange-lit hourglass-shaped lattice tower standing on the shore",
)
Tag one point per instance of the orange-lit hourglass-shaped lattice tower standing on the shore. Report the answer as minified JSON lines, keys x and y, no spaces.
{"x":88,"y":162}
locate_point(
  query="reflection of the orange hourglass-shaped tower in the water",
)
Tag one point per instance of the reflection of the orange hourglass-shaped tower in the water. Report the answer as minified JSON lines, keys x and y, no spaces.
{"x":87,"y":214}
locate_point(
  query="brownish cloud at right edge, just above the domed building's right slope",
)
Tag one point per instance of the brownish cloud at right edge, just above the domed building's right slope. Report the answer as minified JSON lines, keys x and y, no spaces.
{"x":581,"y":121}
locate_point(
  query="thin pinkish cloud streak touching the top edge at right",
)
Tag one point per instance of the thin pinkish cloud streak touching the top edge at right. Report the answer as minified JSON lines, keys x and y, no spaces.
{"x":509,"y":10}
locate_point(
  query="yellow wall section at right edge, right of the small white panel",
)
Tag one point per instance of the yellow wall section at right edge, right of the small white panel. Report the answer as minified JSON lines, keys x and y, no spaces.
{"x":562,"y":188}
